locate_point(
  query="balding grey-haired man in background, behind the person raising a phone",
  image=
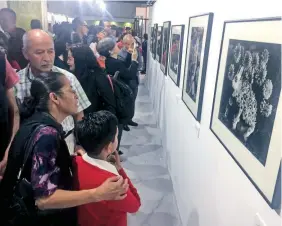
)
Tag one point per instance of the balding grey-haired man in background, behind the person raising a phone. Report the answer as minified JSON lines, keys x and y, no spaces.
{"x":124,"y":55}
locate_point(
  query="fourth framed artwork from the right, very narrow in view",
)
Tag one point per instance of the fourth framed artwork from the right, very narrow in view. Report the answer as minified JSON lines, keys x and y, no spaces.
{"x":165,"y":46}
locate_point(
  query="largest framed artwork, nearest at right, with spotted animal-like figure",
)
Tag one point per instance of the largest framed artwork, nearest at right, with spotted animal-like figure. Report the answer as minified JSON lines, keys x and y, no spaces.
{"x":247,"y":108}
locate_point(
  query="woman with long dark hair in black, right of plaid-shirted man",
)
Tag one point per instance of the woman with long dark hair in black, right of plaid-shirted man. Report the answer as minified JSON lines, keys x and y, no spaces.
{"x":94,"y":81}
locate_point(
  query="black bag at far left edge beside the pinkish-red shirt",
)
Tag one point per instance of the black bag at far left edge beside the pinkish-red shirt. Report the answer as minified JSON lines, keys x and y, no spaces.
{"x":5,"y":130}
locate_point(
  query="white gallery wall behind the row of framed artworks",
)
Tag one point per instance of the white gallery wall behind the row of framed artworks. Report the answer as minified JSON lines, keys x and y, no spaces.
{"x":211,"y":189}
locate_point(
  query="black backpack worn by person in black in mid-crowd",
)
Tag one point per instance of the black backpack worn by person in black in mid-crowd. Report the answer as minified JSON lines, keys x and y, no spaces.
{"x":124,"y":98}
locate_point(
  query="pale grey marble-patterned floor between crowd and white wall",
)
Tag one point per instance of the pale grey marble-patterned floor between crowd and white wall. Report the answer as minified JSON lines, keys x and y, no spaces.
{"x":145,"y":165}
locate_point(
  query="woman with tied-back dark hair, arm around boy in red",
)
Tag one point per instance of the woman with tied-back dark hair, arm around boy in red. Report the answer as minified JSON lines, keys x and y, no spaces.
{"x":39,"y":163}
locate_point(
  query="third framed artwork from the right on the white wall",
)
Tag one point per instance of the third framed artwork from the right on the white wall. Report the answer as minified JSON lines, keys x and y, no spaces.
{"x":175,"y":52}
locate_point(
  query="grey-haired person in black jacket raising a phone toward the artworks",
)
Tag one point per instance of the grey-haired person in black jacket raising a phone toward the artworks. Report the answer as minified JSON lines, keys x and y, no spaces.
{"x":108,"y":48}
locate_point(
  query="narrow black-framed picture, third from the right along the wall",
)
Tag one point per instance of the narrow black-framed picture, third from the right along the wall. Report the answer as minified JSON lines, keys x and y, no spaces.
{"x":174,"y":71}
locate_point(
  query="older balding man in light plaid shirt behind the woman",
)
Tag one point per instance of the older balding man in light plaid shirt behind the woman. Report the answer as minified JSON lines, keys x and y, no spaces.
{"x":38,"y":49}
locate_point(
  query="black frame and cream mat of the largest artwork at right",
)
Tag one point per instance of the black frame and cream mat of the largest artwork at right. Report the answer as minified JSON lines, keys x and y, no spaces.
{"x":255,"y":166}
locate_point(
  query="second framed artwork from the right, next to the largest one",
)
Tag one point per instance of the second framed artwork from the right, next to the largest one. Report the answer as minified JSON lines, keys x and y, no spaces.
{"x":198,"y":44}
